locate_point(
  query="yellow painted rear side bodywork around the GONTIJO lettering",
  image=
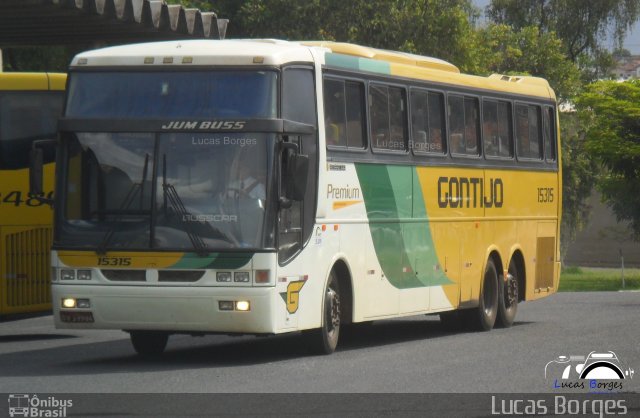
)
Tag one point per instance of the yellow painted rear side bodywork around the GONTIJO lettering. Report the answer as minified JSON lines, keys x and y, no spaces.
{"x":466,"y":232}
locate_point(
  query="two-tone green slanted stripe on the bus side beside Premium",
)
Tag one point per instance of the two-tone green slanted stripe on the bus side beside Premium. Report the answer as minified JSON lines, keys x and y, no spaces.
{"x":405,"y":251}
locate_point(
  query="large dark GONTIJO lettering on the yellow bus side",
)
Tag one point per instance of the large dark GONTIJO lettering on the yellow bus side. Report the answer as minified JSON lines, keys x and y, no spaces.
{"x":470,"y":192}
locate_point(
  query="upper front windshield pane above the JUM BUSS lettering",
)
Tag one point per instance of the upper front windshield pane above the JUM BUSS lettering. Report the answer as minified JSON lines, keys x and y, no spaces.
{"x":176,"y":94}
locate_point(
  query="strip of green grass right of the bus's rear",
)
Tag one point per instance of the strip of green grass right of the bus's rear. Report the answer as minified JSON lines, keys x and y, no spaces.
{"x":585,"y":279}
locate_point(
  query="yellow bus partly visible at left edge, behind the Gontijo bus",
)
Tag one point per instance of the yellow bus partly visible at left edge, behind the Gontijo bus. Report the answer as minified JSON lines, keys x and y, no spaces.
{"x":30,"y":105}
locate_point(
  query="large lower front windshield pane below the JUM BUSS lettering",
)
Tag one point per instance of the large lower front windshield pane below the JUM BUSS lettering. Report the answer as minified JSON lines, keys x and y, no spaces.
{"x":177,"y":191}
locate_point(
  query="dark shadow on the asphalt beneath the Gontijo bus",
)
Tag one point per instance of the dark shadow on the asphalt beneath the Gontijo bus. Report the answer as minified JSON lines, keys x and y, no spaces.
{"x":185,"y":352}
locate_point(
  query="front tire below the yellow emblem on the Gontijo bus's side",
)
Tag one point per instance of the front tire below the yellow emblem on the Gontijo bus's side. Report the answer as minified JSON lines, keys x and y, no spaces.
{"x":325,"y":338}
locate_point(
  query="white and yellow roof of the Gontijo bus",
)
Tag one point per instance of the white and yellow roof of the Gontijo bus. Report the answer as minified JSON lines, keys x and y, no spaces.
{"x":337,"y":54}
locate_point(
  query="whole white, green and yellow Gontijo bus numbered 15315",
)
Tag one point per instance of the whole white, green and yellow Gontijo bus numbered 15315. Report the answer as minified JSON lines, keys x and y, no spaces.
{"x":266,"y":187}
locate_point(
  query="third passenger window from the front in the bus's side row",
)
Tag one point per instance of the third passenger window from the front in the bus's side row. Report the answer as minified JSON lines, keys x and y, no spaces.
{"x":427,"y":124}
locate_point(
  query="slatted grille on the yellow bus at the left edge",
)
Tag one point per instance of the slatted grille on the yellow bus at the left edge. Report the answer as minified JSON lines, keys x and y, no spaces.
{"x":28,"y":268}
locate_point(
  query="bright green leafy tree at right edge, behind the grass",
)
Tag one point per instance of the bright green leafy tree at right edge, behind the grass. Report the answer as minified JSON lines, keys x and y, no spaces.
{"x":610,"y":114}
